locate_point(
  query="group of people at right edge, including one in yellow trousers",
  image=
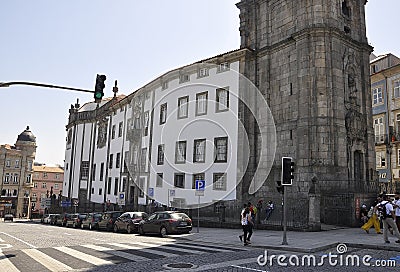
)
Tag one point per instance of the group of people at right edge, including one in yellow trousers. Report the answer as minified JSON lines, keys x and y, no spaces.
{"x":385,"y":211}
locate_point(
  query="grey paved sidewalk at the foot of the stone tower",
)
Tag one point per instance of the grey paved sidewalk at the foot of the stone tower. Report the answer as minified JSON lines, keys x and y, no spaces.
{"x":307,"y":242}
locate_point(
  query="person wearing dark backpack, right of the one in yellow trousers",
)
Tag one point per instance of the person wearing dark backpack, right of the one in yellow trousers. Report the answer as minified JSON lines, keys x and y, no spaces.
{"x":388,"y":218}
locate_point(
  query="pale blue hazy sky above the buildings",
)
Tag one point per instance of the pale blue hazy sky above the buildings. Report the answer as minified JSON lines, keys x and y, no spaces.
{"x":66,"y":43}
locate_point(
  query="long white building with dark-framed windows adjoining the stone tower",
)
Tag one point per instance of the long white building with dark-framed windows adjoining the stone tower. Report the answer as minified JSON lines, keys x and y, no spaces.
{"x":156,"y":142}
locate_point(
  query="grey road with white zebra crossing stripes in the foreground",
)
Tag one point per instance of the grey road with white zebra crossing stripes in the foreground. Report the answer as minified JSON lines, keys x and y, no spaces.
{"x":32,"y":247}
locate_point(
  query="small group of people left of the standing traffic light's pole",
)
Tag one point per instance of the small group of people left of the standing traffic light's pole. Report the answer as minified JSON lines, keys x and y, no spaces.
{"x":248,"y":217}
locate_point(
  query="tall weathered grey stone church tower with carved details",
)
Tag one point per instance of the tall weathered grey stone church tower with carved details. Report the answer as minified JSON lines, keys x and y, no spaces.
{"x":311,"y":62}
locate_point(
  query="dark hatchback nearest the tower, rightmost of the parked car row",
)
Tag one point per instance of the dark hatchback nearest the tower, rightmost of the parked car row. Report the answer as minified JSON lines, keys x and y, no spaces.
{"x":167,"y":222}
